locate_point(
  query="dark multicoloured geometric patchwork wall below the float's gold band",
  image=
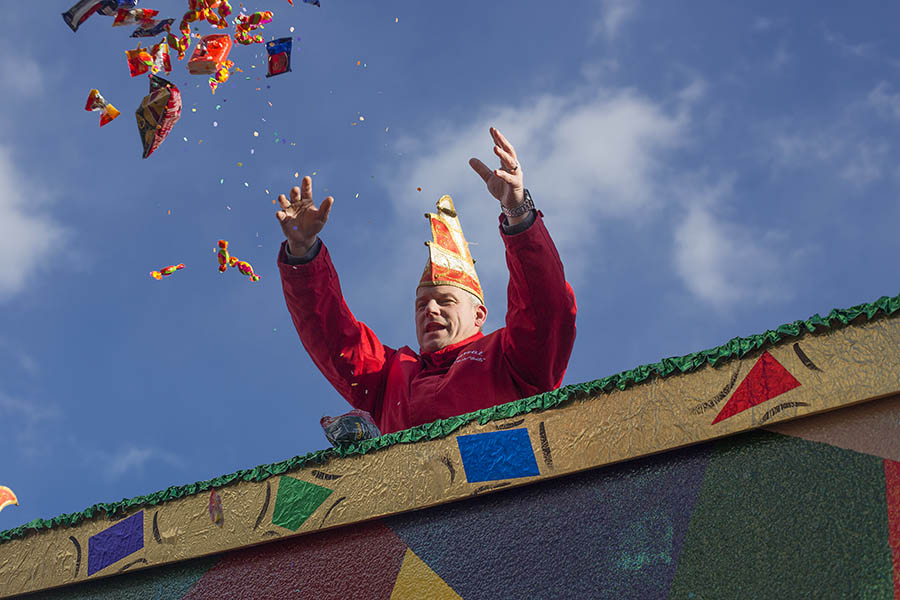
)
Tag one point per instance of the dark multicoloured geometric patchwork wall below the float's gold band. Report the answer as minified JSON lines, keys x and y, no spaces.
{"x":757,"y":515}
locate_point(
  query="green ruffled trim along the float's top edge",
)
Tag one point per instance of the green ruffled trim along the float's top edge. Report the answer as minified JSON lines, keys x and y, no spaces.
{"x":734,"y":349}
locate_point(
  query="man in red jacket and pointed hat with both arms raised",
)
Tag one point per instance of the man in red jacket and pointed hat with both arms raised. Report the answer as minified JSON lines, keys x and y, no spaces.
{"x":457,"y":369}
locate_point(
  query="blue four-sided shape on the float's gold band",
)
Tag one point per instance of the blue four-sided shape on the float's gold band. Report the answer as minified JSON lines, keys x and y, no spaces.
{"x":497,"y":455}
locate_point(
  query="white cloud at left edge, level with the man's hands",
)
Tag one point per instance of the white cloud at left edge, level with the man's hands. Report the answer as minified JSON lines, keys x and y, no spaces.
{"x":28,"y":234}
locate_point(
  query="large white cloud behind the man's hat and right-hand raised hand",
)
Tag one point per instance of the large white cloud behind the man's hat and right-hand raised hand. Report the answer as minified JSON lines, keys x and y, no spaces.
{"x":587,"y":158}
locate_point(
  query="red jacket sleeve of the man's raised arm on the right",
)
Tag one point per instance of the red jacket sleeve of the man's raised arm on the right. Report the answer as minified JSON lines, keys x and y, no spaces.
{"x":540,"y":316}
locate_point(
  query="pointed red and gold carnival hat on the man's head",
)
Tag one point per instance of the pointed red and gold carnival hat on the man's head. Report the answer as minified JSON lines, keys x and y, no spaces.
{"x":449,"y":260}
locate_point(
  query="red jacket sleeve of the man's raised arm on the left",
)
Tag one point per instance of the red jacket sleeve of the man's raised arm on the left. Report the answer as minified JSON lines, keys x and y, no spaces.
{"x":347,"y":352}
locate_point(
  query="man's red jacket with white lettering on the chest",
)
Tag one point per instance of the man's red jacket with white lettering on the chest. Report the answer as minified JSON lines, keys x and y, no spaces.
{"x":401,"y":388}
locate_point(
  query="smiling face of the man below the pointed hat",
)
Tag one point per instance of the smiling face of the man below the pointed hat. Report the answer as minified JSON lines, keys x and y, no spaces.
{"x":446,"y":315}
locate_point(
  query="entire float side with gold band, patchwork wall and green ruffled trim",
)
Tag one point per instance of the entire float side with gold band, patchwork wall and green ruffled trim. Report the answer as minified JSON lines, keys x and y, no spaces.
{"x":647,"y":484}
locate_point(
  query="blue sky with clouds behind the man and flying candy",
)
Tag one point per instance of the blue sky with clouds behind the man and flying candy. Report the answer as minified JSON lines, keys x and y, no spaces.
{"x":707,"y":171}
